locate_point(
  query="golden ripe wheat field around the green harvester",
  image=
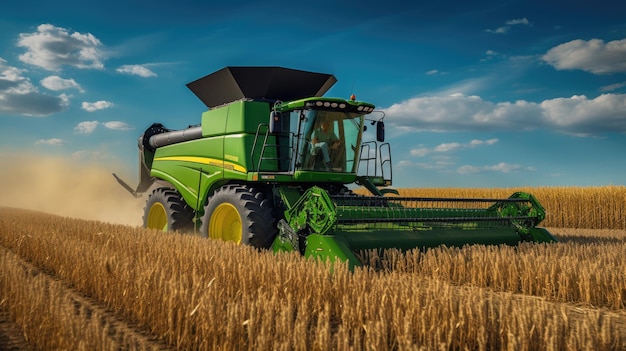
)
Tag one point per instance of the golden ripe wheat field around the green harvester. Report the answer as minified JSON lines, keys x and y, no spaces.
{"x":89,"y":285}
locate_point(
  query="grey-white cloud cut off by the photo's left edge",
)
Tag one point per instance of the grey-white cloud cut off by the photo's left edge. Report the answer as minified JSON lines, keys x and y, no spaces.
{"x":20,"y":97}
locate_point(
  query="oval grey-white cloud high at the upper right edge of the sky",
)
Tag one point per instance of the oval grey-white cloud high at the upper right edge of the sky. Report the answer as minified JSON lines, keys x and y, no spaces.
{"x":593,"y":56}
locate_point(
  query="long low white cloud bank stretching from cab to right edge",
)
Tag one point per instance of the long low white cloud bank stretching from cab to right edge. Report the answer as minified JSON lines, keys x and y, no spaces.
{"x":576,"y":115}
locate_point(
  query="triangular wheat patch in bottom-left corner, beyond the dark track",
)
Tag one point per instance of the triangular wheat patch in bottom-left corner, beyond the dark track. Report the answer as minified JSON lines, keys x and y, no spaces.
{"x":53,"y":317}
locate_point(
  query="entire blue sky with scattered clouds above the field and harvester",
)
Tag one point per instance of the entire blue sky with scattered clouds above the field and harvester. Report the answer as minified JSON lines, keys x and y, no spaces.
{"x":475,"y":94}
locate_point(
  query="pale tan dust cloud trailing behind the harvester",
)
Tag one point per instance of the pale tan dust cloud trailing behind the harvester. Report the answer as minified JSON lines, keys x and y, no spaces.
{"x":69,"y":188}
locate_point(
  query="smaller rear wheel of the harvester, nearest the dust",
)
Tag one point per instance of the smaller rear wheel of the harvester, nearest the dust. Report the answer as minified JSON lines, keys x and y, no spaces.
{"x":166,"y":210}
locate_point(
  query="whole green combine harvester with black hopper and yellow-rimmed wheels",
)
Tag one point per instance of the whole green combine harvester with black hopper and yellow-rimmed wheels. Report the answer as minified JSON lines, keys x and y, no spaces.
{"x":269,"y":167}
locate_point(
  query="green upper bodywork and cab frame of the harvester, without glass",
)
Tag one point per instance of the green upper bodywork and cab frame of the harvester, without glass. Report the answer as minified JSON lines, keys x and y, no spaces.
{"x":229,"y":151}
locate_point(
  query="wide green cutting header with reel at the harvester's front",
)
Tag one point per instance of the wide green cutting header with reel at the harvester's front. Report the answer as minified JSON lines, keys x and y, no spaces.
{"x":325,"y":226}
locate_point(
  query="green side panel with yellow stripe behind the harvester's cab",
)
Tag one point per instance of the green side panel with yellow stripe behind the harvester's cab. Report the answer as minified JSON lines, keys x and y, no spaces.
{"x":224,"y":153}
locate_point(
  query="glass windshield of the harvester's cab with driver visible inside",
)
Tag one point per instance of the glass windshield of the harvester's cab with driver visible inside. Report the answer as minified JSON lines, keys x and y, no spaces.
{"x":328,"y":141}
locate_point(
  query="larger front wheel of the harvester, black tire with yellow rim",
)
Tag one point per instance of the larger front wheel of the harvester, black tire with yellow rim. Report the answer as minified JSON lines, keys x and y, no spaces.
{"x":241,"y":214}
